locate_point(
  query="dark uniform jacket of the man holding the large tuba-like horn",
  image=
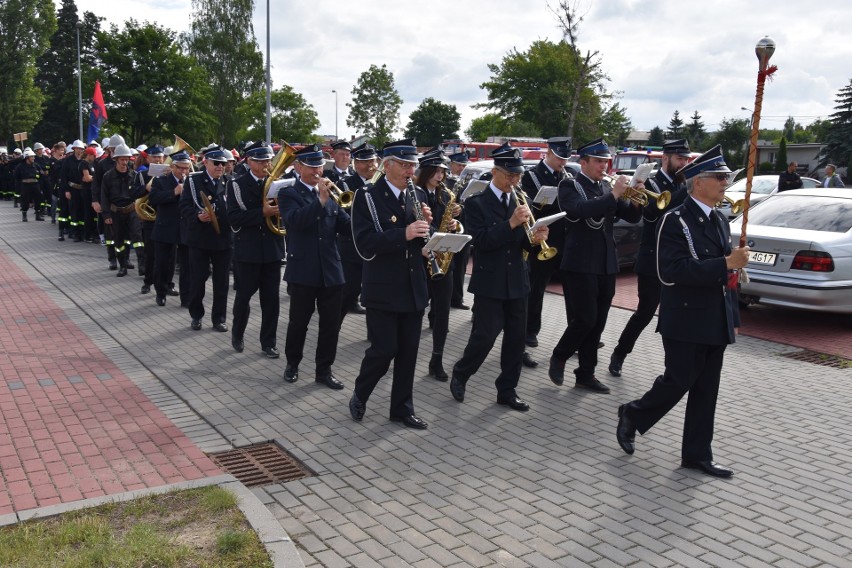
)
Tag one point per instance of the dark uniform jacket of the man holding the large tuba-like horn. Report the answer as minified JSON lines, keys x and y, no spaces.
{"x":253,"y":241}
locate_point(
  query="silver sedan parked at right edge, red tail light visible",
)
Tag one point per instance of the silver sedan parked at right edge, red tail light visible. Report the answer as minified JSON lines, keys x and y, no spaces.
{"x":801,"y":250}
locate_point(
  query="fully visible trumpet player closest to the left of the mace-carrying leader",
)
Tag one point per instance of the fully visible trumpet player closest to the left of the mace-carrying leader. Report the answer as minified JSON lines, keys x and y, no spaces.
{"x":589,"y":261}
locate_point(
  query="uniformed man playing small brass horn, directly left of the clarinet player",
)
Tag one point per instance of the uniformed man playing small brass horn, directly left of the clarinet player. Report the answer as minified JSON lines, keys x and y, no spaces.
{"x":314,"y":273}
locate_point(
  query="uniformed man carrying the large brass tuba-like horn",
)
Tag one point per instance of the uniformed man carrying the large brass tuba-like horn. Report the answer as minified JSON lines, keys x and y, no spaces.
{"x":257,"y":251}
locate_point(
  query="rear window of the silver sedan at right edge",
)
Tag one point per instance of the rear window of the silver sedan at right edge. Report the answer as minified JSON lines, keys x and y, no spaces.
{"x":815,"y":213}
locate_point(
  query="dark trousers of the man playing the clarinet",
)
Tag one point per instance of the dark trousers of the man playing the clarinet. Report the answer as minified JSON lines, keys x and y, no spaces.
{"x":395,"y":337}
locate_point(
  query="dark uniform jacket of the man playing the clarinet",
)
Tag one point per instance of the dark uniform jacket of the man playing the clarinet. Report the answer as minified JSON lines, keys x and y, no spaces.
{"x":394,"y":277}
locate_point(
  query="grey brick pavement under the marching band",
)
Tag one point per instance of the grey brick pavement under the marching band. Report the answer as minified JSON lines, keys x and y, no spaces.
{"x":483,"y":486}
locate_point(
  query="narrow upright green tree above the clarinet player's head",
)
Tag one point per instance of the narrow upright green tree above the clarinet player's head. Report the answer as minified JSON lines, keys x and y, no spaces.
{"x":374,"y":110}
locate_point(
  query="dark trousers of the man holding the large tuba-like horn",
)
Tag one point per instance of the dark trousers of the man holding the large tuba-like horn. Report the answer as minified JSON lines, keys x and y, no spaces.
{"x":252,"y":277}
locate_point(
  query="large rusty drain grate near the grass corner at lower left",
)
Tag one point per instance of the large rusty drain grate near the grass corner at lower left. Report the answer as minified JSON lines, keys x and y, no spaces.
{"x":261,"y":464}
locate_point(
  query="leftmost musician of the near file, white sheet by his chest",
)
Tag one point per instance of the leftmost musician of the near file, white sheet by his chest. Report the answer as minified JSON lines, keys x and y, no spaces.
{"x":168,"y":234}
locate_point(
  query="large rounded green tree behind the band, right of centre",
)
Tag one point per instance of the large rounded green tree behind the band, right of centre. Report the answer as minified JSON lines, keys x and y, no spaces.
{"x":535,"y":87}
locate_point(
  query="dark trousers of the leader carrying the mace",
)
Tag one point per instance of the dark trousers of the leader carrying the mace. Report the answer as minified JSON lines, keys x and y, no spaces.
{"x":692,"y":368}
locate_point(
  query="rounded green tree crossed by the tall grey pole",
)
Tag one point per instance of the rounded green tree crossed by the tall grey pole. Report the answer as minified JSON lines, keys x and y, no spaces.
{"x":293,"y":118}
